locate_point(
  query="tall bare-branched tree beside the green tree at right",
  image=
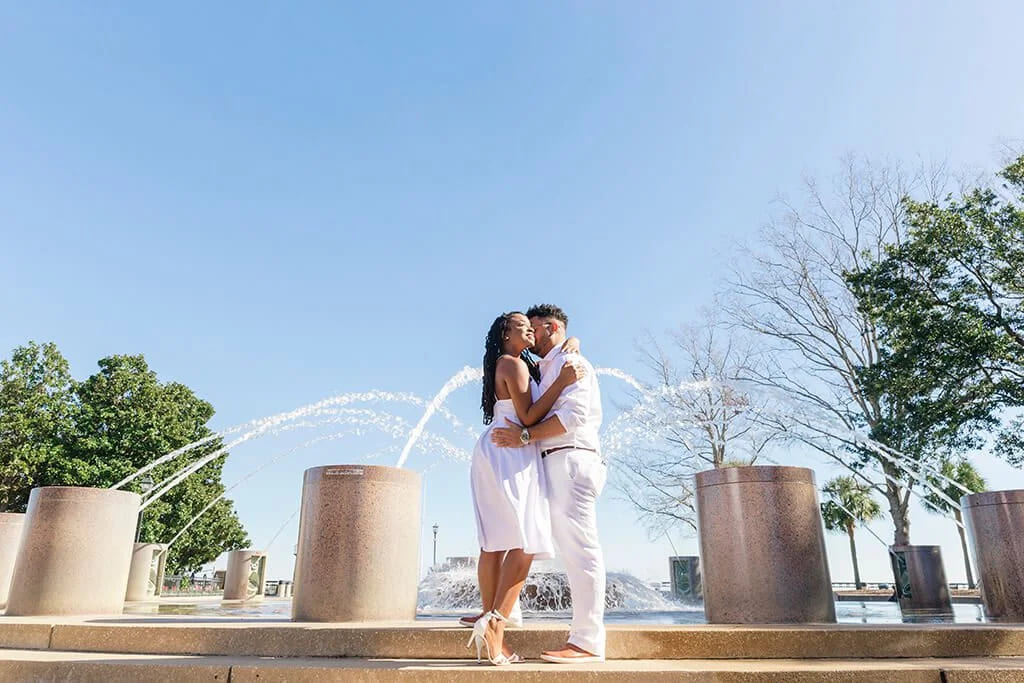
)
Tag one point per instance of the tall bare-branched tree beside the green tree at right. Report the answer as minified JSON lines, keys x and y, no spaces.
{"x":793,"y":293}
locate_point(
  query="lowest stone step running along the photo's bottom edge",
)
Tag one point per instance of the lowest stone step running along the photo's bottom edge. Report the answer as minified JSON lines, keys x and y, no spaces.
{"x":107,"y":668}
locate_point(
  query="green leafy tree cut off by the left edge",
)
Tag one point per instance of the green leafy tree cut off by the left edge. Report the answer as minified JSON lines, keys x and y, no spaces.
{"x":36,"y":416}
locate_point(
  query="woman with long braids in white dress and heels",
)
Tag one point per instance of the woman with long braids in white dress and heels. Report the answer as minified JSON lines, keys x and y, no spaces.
{"x":508,"y":485}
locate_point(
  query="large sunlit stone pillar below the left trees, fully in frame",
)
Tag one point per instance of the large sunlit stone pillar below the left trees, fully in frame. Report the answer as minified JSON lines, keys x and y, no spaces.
{"x":75,"y":552}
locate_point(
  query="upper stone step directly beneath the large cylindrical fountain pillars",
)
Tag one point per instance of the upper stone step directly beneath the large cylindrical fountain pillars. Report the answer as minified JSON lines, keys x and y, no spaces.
{"x":158,"y":635}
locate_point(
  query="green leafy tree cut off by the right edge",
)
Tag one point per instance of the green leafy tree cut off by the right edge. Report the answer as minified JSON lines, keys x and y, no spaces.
{"x":952,"y":295}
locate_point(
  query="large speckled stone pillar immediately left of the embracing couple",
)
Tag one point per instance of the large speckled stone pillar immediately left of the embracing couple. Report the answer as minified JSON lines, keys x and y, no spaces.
{"x":359,"y":545}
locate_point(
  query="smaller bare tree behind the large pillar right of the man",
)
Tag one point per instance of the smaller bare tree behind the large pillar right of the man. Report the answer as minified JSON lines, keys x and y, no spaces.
{"x":694,"y":418}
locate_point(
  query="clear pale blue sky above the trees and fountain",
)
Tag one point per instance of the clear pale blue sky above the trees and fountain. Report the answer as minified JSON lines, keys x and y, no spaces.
{"x":279,"y":204}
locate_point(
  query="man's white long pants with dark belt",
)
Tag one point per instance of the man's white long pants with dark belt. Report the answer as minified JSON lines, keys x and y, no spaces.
{"x":576,"y":480}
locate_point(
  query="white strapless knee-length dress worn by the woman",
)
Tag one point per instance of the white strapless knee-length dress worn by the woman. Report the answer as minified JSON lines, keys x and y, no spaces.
{"x":510,"y":494}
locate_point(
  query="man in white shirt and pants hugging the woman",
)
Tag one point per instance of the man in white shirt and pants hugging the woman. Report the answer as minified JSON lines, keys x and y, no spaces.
{"x":576,"y":473}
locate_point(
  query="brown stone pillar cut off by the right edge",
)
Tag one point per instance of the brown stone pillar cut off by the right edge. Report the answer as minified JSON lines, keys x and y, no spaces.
{"x":995,"y":522}
